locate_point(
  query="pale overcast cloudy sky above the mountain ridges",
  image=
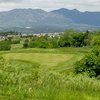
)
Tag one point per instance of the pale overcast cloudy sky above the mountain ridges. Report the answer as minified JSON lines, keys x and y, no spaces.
{"x":82,"y":5}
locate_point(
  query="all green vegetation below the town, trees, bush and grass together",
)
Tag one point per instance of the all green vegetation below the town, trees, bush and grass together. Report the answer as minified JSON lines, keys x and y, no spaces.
{"x":49,"y":68}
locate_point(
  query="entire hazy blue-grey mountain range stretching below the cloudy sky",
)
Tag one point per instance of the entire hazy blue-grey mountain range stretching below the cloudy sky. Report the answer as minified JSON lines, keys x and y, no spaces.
{"x":37,"y":20}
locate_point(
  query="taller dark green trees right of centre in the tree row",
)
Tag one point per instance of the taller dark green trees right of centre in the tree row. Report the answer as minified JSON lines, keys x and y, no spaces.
{"x":75,"y":39}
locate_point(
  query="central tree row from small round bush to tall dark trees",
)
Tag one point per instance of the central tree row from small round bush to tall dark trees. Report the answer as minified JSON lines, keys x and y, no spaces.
{"x":68,"y":39}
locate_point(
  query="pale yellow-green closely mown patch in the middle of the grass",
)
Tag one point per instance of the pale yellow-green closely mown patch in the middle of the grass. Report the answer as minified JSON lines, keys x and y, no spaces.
{"x":47,"y":60}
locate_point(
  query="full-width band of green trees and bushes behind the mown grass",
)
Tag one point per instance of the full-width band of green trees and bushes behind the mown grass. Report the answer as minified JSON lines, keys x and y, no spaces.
{"x":69,"y":38}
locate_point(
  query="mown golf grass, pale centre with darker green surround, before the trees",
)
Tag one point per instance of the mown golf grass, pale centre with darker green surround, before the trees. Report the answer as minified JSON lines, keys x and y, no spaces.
{"x":49,"y":59}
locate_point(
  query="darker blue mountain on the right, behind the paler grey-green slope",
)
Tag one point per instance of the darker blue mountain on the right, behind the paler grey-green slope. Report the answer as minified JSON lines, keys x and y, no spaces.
{"x":90,"y":18}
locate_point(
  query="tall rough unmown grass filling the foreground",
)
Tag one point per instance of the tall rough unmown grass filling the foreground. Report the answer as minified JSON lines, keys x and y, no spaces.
{"x":21,"y":80}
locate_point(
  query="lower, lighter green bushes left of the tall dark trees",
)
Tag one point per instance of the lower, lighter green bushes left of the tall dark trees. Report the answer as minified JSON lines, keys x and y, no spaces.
{"x":42,"y":42}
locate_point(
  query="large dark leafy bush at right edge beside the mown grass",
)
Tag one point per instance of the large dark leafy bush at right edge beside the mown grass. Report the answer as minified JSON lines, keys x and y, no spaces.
{"x":89,"y":64}
